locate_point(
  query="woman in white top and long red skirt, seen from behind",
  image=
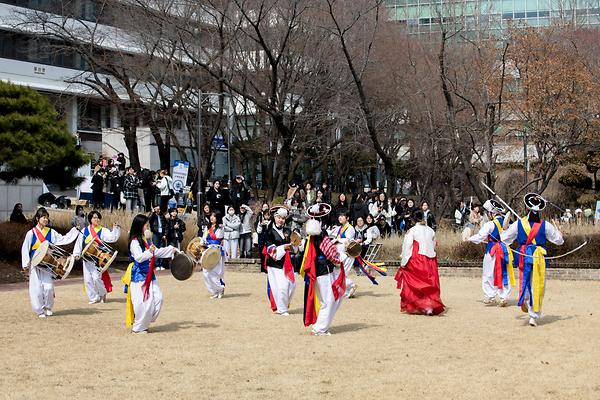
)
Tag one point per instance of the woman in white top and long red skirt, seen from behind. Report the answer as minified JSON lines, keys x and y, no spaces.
{"x":418,"y":278}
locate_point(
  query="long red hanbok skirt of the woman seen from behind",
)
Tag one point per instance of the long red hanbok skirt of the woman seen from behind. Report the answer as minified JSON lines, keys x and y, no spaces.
{"x":419,"y":284}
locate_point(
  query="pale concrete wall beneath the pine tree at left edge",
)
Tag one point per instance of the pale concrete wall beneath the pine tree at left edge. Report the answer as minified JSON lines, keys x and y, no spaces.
{"x":26,"y":191}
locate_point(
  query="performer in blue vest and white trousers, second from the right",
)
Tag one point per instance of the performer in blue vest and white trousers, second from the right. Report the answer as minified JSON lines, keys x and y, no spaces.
{"x":498,"y":275}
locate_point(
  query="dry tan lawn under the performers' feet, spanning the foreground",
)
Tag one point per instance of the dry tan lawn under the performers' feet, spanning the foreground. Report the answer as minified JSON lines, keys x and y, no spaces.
{"x":235,"y":348}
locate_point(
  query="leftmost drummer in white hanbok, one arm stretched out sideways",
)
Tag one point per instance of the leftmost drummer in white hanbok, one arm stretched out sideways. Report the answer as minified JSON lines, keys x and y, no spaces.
{"x":41,"y":285}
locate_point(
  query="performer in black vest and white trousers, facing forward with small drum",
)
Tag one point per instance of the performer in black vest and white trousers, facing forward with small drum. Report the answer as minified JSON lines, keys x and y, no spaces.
{"x":278,"y":263}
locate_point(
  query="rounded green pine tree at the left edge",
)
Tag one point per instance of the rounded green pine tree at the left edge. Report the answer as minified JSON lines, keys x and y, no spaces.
{"x":34,"y":140}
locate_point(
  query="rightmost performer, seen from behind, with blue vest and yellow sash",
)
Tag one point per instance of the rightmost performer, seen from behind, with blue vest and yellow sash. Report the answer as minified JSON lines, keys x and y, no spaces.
{"x":532,"y":233}
